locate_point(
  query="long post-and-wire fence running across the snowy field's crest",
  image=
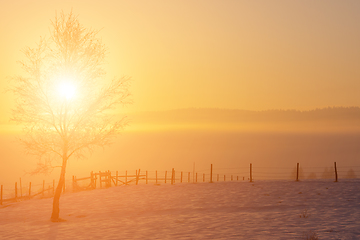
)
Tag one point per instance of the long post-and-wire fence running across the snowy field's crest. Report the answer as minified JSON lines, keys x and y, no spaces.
{"x":22,"y":191}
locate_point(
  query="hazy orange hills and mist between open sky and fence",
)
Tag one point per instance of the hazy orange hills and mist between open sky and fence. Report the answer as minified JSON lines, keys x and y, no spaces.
{"x":228,"y":139}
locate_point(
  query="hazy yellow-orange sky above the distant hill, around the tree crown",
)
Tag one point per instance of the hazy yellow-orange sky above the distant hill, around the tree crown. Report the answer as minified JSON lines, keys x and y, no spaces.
{"x":252,"y":55}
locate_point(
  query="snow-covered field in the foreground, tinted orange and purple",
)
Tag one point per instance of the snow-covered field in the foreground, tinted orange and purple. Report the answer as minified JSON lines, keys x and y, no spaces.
{"x":223,"y":210}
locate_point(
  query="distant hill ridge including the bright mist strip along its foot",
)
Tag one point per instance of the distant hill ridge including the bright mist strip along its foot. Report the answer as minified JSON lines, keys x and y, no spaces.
{"x":324,"y":119}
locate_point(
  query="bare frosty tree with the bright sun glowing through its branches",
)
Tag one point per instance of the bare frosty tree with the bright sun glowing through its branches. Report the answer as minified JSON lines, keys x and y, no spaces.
{"x":64,"y":101}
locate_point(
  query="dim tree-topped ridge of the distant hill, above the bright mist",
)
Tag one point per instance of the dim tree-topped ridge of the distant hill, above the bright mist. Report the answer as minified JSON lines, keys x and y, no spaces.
{"x":329,"y":114}
